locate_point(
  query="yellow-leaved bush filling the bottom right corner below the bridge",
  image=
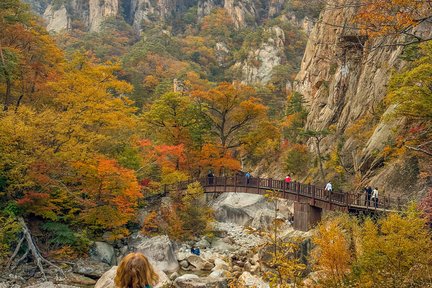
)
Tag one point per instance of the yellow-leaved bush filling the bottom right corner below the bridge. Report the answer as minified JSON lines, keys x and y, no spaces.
{"x":395,"y":251}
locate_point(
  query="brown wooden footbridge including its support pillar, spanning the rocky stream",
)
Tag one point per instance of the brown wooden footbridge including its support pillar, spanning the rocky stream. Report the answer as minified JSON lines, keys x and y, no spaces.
{"x":309,"y":200}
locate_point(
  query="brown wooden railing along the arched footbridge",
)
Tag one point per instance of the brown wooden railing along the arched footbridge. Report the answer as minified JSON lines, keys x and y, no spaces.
{"x":311,"y":191}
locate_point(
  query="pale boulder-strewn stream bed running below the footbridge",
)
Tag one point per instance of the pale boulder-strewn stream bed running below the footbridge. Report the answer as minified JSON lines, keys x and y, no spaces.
{"x":229,"y":254}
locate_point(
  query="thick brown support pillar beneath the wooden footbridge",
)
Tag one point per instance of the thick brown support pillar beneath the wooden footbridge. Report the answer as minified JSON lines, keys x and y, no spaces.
{"x":306,"y":216}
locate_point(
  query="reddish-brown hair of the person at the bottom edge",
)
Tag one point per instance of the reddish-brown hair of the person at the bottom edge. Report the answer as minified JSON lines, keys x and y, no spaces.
{"x":135,"y":271}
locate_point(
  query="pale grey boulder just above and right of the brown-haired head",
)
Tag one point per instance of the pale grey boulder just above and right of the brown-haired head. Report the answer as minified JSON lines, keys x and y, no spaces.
{"x":158,"y":249}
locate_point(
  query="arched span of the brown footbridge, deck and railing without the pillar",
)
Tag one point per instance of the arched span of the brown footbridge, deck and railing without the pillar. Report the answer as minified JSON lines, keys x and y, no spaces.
{"x":294,"y":191}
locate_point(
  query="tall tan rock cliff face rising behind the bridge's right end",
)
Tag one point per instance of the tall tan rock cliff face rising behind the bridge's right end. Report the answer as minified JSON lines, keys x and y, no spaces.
{"x":344,"y":78}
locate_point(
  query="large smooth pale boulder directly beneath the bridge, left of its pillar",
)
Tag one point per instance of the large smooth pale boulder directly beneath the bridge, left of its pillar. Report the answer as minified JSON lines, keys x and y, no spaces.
{"x":249,"y":209}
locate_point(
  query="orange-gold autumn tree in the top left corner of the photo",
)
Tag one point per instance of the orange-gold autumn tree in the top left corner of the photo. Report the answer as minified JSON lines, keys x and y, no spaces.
{"x":28,"y":56}
